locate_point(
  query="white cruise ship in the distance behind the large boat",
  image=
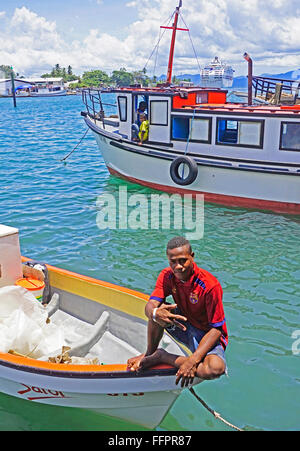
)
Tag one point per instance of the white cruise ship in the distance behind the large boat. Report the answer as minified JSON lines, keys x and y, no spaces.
{"x":217,"y":74}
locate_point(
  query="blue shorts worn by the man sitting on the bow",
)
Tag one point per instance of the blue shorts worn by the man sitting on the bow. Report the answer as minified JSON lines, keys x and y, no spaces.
{"x":192,"y":336}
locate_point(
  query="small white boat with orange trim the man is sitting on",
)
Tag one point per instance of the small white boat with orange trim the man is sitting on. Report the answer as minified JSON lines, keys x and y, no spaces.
{"x":110,"y":326}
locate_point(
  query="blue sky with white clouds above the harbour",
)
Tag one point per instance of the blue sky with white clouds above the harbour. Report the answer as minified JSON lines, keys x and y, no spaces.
{"x":109,"y":34}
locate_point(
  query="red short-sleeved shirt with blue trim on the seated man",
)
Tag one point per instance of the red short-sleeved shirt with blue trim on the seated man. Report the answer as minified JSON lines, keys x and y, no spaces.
{"x":199,"y":299}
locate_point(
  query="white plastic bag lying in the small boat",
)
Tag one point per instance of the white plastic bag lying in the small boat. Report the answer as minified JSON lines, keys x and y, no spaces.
{"x":23,"y":326}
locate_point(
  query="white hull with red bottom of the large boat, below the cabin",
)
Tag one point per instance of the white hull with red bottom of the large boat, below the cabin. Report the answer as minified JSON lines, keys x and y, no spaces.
{"x":245,"y":185}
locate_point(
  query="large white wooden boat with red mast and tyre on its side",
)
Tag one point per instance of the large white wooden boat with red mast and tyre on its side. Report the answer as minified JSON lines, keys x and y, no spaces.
{"x":234,"y":154}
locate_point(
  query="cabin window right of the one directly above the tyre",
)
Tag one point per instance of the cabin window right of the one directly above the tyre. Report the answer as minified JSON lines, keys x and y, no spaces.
{"x":240,"y":132}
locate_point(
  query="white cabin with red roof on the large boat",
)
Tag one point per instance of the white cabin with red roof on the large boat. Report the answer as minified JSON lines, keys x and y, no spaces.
{"x":202,"y":116}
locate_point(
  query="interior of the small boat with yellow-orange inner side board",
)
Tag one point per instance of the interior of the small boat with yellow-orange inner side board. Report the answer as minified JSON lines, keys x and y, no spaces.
{"x":100,"y":323}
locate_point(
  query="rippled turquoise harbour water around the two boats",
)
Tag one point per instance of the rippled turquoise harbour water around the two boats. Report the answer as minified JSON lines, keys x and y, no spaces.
{"x":254,"y":254}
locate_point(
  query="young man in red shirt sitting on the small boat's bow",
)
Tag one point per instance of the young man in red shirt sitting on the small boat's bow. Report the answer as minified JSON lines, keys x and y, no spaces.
{"x":197,"y":319}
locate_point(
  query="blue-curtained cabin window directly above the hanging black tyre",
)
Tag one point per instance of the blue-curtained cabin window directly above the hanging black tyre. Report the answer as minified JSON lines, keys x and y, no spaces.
{"x":184,"y":128}
